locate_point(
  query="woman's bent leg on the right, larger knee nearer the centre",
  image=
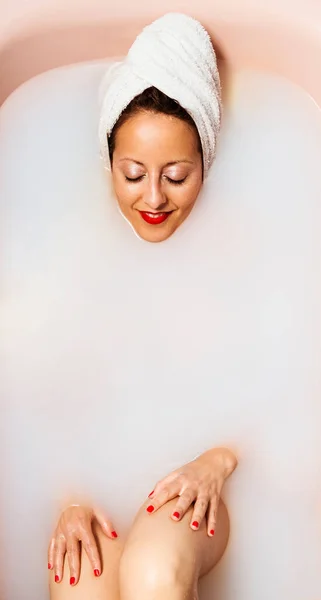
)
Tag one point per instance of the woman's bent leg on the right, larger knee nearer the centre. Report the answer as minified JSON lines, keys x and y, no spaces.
{"x":165,"y":559}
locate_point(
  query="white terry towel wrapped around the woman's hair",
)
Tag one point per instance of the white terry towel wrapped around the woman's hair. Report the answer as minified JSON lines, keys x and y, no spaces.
{"x":175,"y":55}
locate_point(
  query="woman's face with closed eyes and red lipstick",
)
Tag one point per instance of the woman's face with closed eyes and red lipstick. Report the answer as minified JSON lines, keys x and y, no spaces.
{"x":157,"y":173}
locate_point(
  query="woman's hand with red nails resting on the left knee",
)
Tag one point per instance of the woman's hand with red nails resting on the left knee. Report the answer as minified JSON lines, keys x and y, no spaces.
{"x":74,"y":526}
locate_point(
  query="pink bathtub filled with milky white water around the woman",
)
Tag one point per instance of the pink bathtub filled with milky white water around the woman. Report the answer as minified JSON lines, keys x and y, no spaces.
{"x":84,"y":406}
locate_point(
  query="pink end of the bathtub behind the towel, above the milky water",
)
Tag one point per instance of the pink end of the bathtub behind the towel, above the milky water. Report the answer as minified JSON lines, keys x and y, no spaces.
{"x":283,"y":36}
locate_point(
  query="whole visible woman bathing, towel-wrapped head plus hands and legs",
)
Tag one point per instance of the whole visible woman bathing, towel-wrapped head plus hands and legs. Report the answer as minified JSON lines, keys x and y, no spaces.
{"x":158,"y":130}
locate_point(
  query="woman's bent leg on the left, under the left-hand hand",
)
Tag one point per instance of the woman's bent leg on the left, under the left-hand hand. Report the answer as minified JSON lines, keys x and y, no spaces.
{"x":89,"y":587}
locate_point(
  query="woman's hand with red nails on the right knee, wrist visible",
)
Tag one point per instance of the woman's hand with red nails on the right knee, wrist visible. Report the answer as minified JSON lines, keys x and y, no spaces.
{"x":199,"y":482}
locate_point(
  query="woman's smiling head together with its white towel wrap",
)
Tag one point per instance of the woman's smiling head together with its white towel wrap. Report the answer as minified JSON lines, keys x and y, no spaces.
{"x":159,"y":124}
